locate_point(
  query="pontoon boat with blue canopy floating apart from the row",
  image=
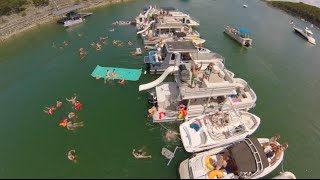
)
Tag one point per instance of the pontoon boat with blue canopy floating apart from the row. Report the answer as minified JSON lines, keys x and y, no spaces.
{"x":241,"y":35}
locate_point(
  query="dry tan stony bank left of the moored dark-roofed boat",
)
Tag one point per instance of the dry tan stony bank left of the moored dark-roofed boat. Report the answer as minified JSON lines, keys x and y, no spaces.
{"x":20,"y":15}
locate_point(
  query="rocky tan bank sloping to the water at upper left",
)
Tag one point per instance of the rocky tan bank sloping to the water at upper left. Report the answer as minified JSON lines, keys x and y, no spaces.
{"x":14,"y":24}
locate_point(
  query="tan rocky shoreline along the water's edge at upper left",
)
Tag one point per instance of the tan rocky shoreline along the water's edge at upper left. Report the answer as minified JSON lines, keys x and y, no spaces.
{"x":11,"y":30}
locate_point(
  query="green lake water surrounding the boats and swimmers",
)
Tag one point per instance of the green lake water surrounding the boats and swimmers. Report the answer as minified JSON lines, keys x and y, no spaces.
{"x":281,"y":67}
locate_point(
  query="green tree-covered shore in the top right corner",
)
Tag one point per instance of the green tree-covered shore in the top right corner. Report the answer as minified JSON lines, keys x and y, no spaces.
{"x":306,"y":11}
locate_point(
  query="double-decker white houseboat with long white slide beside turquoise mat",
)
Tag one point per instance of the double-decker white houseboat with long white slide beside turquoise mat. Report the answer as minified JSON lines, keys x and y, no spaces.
{"x":221,"y":92}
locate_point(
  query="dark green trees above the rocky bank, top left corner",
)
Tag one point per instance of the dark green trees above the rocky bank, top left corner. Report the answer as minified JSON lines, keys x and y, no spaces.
{"x":8,"y":7}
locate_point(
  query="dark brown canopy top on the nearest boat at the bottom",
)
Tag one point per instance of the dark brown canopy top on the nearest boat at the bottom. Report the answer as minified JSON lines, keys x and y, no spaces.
{"x":244,"y":157}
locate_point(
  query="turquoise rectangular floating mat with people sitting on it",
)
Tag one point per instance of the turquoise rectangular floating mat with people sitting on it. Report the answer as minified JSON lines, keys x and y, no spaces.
{"x":127,"y":74}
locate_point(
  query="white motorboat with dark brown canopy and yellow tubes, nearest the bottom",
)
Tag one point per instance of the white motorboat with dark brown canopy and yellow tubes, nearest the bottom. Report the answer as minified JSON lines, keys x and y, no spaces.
{"x":247,"y":161}
